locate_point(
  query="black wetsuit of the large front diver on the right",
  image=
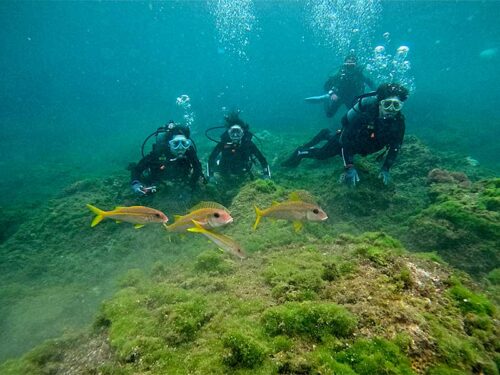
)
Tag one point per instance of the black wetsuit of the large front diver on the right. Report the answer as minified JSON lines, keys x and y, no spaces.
{"x":363,"y":132}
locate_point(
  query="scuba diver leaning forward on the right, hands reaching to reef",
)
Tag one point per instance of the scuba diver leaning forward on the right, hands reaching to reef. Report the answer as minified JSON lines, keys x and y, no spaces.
{"x":375,"y":122}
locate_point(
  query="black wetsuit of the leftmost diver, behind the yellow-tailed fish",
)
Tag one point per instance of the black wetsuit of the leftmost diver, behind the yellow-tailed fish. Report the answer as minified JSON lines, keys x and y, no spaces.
{"x":162,"y":165}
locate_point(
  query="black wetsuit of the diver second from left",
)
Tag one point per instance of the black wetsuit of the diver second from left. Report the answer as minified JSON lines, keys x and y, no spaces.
{"x":235,"y":159}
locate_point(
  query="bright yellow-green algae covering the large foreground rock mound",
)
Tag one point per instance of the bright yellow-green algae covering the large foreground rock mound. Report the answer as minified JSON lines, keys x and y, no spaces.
{"x":175,"y":321}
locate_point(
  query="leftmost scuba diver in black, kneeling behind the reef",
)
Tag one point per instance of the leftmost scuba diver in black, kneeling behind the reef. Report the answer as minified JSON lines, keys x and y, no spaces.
{"x":173,"y":157}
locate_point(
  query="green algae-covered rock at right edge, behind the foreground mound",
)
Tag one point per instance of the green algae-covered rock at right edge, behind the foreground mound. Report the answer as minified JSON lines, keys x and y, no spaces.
{"x":462,"y":224}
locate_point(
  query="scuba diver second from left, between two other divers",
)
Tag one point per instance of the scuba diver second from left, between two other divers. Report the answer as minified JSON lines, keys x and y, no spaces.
{"x":235,"y":153}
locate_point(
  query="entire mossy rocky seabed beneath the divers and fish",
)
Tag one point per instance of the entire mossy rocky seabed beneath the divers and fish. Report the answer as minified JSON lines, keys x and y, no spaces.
{"x":342,"y":296}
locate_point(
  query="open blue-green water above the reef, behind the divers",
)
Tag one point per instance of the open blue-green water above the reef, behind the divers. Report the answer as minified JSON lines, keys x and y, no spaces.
{"x":83,"y":82}
